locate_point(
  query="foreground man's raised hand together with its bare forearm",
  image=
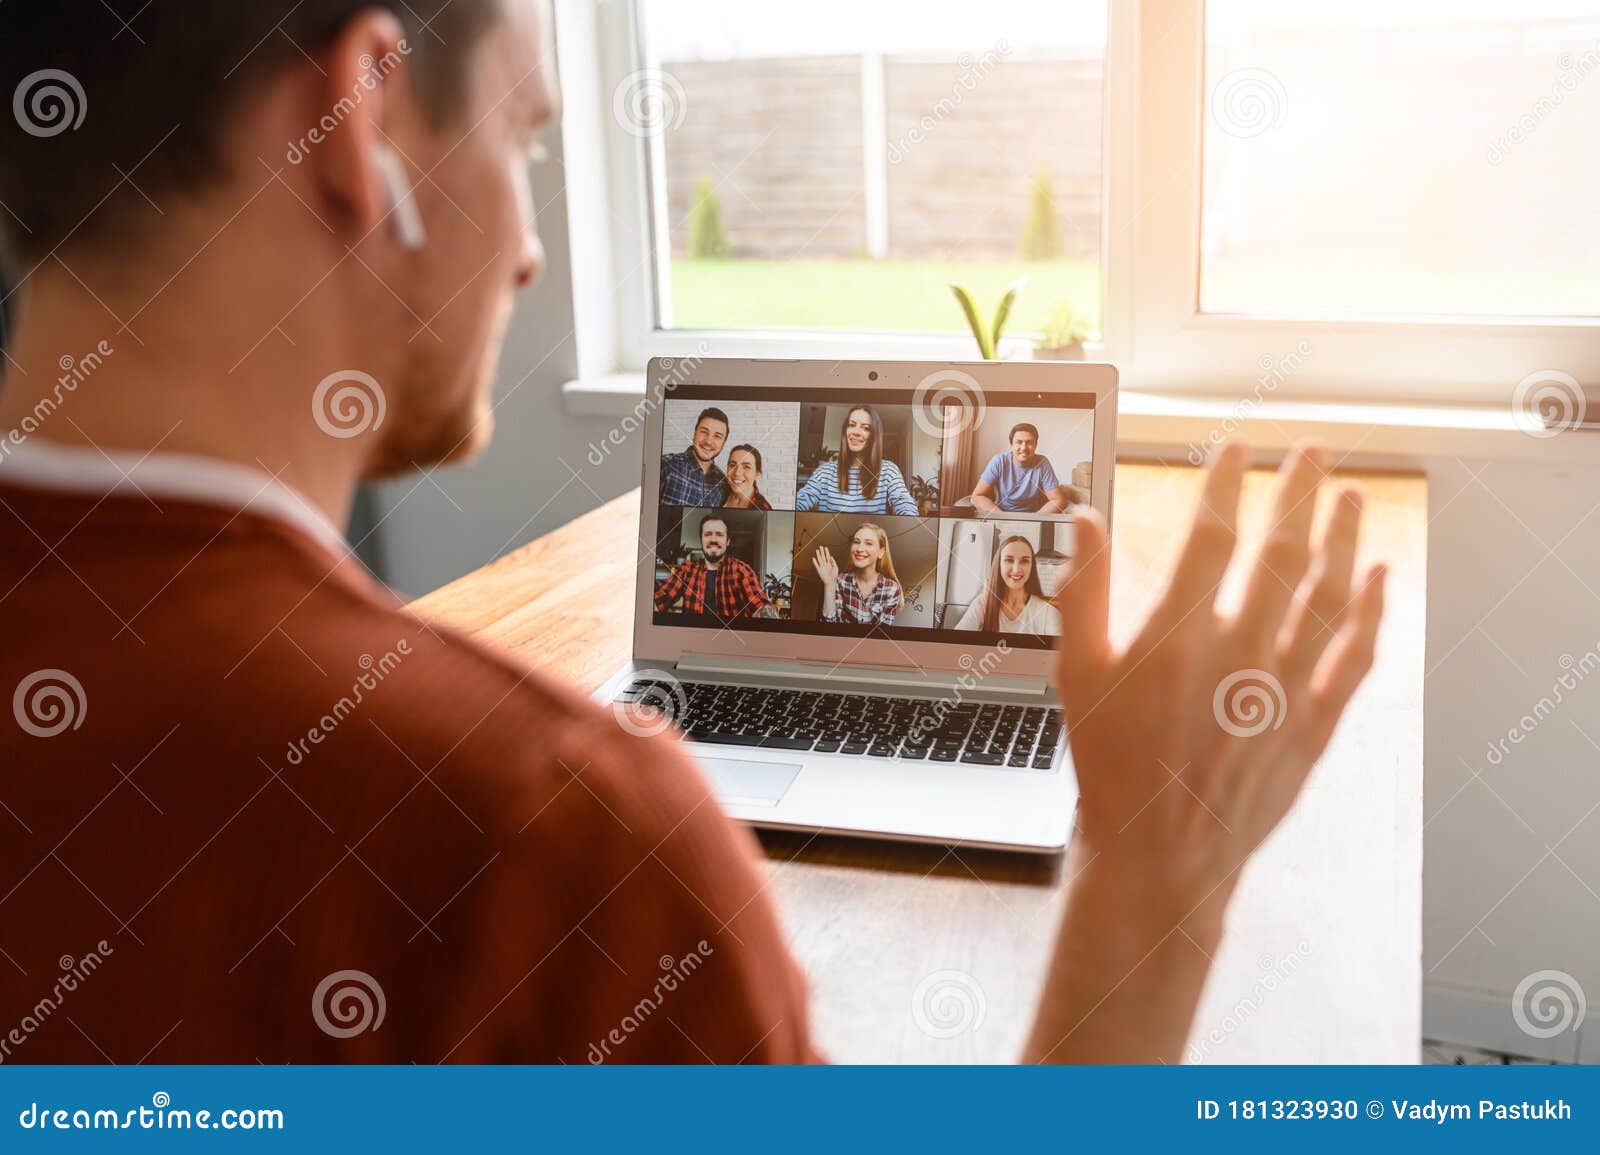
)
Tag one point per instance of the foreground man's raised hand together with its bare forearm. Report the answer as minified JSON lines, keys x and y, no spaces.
{"x":1190,"y":748}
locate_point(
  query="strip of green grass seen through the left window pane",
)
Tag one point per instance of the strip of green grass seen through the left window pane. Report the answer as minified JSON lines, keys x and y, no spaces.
{"x":873,"y":295}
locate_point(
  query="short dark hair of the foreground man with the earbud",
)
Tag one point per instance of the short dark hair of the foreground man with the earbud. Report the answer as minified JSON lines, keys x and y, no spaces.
{"x":154,"y":98}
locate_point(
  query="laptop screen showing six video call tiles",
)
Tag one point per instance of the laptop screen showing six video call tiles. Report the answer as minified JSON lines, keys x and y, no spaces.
{"x":857,"y":513}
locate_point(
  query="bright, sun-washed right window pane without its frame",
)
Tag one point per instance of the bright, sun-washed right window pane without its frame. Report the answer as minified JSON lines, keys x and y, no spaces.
{"x":1402,"y":158}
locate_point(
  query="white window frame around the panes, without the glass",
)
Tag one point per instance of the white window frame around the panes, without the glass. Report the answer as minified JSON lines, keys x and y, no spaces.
{"x":1154,"y":113}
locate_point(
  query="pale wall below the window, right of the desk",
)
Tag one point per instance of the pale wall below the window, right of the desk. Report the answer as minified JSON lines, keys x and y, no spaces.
{"x":1513,"y":841}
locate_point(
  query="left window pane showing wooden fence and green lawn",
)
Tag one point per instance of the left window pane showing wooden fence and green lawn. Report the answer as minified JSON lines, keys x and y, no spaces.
{"x":839,"y":166}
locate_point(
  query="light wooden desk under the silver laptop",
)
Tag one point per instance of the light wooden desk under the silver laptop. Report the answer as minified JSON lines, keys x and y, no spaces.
{"x":1322,"y":962}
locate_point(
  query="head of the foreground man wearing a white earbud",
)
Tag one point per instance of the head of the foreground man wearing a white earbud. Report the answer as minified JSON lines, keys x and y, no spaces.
{"x":242,"y":148}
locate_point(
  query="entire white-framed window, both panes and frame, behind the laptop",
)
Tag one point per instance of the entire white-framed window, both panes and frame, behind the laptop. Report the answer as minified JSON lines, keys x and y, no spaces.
{"x":1391,"y":196}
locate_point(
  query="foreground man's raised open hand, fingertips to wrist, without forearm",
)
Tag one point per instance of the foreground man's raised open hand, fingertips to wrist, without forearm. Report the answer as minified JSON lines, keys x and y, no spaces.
{"x":1193,"y":745}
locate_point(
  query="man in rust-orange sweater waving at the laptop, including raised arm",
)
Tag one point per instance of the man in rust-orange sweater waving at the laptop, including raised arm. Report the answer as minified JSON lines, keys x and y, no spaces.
{"x":290,"y":821}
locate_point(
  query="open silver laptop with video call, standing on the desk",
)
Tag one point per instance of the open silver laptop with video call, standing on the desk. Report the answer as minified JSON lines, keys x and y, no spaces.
{"x":844,"y":601}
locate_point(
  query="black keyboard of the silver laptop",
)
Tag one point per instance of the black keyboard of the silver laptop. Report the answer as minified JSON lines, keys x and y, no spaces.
{"x":911,"y":729}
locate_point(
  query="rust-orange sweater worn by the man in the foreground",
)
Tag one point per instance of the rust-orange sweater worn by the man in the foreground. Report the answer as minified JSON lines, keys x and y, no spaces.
{"x":254,"y":810}
